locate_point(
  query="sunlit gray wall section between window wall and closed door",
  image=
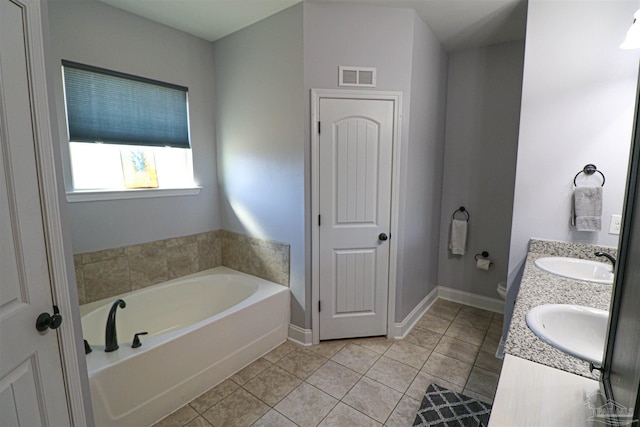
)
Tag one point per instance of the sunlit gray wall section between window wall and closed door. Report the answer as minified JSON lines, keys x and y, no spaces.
{"x":260,"y":141}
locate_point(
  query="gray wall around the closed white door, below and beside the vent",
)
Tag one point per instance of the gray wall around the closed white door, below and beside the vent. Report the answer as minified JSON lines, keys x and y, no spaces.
{"x":408,"y":59}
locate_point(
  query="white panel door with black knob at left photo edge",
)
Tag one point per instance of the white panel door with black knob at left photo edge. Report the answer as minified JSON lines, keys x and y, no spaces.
{"x":32,"y":390}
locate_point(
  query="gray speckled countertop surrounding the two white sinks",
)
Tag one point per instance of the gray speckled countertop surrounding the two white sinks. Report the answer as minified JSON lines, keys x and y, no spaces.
{"x":539,"y":287}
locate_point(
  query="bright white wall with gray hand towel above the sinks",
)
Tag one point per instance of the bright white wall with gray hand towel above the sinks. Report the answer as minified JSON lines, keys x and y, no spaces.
{"x":578,"y":101}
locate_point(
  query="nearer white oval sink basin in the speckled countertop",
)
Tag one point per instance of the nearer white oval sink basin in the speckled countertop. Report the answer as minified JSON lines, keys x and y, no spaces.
{"x":576,"y":330}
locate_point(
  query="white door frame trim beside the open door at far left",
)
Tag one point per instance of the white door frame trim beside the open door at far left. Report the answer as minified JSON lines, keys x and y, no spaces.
{"x":59,"y":253}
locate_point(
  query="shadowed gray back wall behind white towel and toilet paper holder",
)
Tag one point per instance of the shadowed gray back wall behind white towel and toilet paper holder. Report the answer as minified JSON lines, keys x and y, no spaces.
{"x":483,"y":109}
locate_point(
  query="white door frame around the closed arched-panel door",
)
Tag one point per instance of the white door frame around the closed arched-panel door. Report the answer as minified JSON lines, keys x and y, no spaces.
{"x":316,"y":96}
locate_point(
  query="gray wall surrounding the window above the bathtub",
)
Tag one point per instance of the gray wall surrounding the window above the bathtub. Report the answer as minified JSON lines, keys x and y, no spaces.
{"x":90,"y":32}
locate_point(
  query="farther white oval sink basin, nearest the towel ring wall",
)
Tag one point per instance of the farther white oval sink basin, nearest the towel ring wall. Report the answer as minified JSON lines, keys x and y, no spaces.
{"x":579,"y":269}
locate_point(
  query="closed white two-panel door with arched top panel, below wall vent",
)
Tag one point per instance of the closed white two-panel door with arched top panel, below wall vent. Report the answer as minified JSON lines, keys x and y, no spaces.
{"x":356,"y":142}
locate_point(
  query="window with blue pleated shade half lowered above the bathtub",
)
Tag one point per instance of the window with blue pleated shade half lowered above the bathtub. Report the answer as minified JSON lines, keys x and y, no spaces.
{"x":126,"y":131}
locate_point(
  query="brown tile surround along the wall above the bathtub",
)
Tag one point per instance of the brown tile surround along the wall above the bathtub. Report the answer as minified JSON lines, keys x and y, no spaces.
{"x":110,"y":272}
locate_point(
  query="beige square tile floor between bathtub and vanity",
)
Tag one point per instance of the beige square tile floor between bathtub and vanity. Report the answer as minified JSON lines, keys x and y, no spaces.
{"x":357,"y":382}
